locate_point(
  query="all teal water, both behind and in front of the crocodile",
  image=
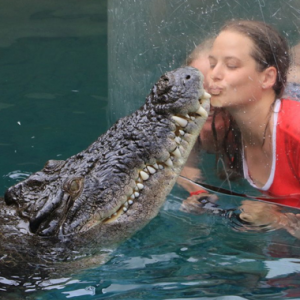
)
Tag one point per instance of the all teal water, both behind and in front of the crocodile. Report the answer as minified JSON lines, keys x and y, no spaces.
{"x":53,"y":104}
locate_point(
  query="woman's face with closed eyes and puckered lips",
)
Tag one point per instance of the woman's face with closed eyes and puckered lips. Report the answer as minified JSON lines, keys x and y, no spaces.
{"x":233,"y":78}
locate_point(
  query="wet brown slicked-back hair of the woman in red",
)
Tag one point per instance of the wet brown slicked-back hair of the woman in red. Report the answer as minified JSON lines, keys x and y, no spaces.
{"x":270,"y":48}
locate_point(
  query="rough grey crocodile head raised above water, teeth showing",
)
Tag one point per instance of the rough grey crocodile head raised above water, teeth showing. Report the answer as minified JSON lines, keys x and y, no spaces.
{"x":123,"y":178}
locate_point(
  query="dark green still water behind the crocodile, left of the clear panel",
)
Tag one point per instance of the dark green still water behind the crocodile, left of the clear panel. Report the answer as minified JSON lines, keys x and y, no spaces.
{"x":53,"y":81}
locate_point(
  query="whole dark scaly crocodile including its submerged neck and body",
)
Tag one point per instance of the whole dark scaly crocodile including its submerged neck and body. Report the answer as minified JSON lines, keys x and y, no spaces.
{"x":62,"y":215}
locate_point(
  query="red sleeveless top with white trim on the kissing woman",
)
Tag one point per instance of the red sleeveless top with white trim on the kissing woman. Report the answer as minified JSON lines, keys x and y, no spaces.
{"x":284,"y":179}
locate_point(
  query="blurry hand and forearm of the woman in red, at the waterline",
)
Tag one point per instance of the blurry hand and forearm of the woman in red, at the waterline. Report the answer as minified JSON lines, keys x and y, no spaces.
{"x":265,"y":214}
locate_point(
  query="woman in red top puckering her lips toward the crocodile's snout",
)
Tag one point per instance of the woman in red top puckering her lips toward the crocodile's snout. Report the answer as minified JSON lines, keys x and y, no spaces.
{"x":249,"y":63}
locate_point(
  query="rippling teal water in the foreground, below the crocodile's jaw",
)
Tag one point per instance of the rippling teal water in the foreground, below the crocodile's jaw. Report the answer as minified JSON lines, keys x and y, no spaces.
{"x":180,"y":256}
